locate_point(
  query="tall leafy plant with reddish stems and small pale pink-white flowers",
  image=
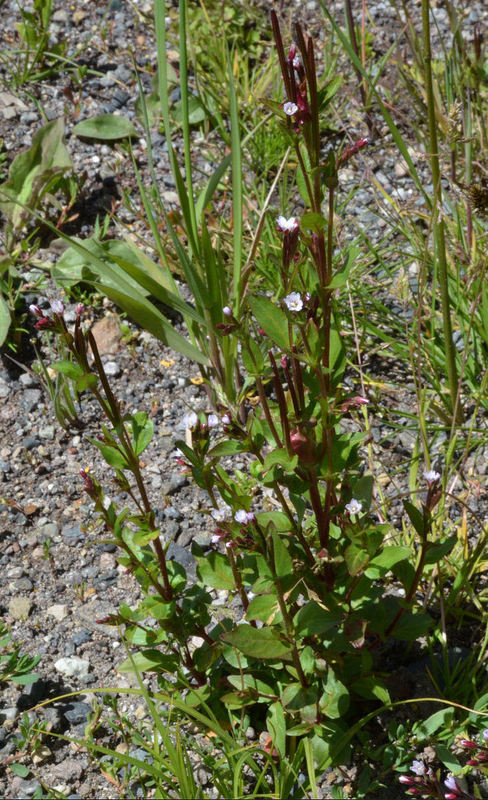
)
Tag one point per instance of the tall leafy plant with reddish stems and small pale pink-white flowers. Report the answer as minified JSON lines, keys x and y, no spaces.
{"x":298,"y":541}
